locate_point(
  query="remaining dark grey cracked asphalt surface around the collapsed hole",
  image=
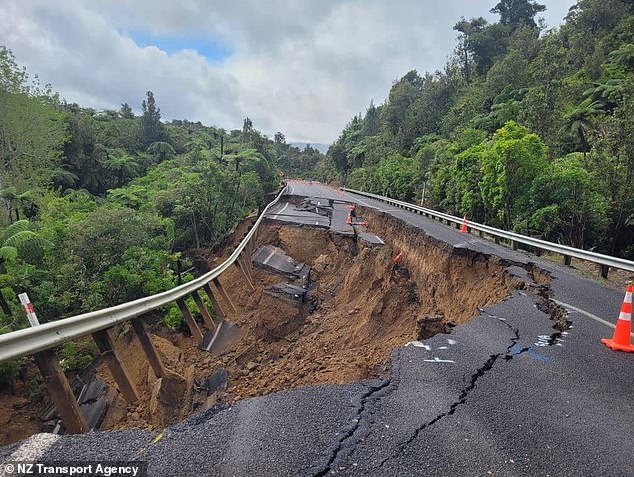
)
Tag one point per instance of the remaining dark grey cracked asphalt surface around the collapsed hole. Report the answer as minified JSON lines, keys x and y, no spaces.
{"x":505,"y":394}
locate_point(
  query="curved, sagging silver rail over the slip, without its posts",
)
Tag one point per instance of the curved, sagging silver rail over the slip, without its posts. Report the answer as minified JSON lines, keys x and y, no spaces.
{"x":29,"y":341}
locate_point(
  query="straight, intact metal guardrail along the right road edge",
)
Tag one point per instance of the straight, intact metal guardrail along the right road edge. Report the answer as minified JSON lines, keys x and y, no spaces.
{"x":566,"y":251}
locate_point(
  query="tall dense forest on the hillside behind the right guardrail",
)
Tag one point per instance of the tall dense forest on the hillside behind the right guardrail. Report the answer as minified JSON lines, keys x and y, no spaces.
{"x":526,"y":129}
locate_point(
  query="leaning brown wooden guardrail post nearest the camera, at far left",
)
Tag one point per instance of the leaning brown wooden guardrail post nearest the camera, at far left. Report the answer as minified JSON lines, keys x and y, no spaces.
{"x":60,"y":392}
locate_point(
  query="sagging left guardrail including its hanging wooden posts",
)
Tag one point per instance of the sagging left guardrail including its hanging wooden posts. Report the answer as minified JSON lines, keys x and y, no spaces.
{"x":40,"y":340}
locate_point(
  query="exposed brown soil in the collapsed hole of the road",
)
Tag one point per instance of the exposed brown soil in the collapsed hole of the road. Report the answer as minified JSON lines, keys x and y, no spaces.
{"x":359,"y":308}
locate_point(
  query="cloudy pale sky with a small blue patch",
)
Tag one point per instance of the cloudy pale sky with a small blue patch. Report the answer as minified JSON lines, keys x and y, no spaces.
{"x":302,"y":67}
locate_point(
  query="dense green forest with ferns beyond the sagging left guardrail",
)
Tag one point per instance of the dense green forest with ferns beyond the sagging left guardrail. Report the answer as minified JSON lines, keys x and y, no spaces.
{"x":101,"y":207}
